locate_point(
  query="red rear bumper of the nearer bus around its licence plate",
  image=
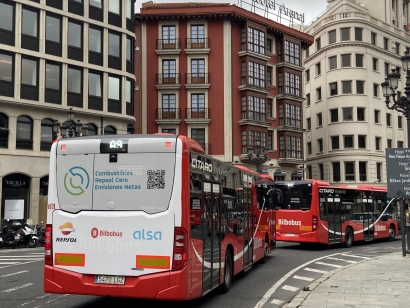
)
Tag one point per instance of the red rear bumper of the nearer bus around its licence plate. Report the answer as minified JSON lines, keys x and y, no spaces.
{"x":163,"y":286}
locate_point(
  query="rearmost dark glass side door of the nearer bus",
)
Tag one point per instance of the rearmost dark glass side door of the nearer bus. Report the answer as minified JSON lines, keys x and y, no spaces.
{"x":211,"y":262}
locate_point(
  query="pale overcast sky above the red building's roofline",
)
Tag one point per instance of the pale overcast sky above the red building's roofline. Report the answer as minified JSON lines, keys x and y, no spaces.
{"x":311,"y":8}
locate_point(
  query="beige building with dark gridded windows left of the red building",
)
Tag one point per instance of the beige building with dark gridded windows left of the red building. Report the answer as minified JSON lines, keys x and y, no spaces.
{"x":56,"y":55}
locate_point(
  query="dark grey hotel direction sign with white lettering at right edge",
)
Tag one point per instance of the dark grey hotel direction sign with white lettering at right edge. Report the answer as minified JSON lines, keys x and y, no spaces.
{"x":398,"y":172}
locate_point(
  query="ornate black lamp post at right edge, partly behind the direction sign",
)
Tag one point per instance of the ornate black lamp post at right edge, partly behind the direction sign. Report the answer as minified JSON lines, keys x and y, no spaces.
{"x":402,"y":105}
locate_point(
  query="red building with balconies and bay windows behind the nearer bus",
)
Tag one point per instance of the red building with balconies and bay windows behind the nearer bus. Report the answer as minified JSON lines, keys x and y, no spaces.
{"x":226,"y":77}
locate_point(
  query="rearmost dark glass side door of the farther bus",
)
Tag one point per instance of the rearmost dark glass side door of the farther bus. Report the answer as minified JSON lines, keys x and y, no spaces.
{"x":334,"y":219}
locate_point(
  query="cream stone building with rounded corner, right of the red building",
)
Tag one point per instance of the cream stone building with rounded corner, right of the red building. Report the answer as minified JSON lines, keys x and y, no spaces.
{"x":348,"y":125}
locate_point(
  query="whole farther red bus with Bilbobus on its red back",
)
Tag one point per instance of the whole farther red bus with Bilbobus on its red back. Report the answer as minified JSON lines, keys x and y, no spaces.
{"x":313,"y":211}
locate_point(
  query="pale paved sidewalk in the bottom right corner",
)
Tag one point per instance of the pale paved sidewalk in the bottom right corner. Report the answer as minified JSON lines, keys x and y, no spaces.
{"x":383,"y":282}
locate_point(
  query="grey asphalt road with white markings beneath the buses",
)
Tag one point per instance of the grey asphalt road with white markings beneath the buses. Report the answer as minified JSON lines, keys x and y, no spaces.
{"x":290,"y":268}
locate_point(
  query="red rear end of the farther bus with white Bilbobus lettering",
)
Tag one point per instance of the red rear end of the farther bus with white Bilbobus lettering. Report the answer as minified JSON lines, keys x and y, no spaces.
{"x":297,"y":211}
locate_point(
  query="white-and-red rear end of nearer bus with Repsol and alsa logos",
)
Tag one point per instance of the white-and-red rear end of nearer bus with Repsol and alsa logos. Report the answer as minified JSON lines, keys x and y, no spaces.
{"x":114,"y":220}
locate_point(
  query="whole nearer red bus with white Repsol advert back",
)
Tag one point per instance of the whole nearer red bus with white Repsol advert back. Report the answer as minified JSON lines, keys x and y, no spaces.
{"x":119,"y":218}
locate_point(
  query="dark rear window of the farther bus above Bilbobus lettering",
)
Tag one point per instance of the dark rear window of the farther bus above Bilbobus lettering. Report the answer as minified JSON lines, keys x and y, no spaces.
{"x":291,"y":196}
